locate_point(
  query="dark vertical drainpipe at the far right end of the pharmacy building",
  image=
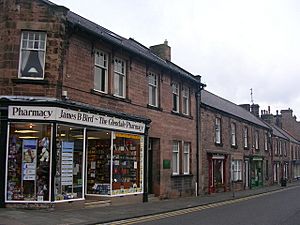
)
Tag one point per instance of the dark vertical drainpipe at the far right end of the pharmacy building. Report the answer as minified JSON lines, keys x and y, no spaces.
{"x":200,"y":87}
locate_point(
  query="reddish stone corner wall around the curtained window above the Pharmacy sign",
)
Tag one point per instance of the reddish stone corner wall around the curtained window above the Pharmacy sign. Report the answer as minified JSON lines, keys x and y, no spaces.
{"x":30,"y":15}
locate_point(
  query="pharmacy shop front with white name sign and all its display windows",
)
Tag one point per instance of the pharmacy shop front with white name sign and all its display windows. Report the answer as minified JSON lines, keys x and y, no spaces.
{"x":60,"y":154}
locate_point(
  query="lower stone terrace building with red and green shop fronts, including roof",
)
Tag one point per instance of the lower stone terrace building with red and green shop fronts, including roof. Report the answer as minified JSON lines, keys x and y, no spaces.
{"x":235,"y":147}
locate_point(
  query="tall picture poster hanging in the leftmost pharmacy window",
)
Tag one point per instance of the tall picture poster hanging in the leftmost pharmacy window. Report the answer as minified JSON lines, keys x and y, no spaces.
{"x":29,"y":159}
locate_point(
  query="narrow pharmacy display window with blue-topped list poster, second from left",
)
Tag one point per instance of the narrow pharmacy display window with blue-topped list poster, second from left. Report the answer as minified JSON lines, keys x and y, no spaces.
{"x":68,"y":183}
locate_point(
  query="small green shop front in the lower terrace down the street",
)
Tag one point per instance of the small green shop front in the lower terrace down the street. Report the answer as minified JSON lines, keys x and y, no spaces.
{"x":256,"y":171}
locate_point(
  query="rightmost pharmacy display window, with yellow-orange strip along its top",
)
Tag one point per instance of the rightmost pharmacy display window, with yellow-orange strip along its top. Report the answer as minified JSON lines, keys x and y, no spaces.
{"x":127,"y":163}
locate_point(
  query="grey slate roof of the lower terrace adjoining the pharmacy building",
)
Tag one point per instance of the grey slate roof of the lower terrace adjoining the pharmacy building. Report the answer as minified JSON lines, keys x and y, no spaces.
{"x":226,"y":106}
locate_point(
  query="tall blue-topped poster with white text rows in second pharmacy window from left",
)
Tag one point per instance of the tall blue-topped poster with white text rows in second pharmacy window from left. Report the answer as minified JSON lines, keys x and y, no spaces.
{"x":67,"y":163}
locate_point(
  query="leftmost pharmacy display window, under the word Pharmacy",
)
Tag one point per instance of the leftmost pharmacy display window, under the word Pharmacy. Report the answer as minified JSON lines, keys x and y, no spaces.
{"x":28,"y":162}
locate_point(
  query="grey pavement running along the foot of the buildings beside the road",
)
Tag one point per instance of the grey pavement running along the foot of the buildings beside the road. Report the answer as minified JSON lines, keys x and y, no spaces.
{"x":99,"y":215}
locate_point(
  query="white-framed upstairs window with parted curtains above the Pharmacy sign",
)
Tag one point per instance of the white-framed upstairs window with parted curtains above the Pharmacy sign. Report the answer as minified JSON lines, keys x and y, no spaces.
{"x":32,"y":55}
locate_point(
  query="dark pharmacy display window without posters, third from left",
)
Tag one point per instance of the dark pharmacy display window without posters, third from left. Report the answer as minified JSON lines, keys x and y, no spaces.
{"x":98,"y":163}
